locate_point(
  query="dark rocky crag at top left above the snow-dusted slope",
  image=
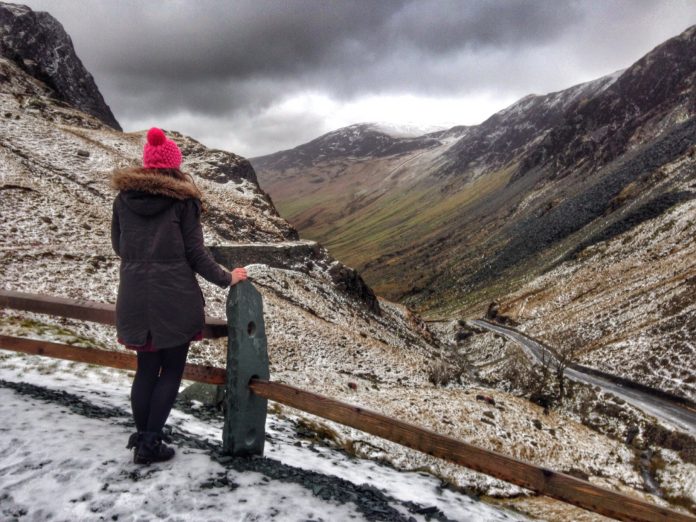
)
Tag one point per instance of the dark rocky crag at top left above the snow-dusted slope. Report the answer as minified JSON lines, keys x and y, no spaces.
{"x":39,"y":45}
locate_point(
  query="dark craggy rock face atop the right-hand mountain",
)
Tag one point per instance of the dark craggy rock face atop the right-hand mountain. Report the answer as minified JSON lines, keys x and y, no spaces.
{"x":647,"y":101}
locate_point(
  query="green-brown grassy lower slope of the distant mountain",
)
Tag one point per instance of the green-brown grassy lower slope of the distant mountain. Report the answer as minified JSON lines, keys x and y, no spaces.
{"x":395,"y":228}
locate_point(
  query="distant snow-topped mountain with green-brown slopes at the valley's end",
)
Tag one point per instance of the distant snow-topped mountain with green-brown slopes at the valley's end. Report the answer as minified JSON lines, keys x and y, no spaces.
{"x":356,"y":185}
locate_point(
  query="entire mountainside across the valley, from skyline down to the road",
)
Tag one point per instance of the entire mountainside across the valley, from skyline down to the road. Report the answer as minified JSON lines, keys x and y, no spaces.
{"x":545,"y":184}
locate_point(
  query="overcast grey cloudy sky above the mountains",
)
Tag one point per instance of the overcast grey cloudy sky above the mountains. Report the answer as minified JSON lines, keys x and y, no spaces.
{"x":257,"y":76}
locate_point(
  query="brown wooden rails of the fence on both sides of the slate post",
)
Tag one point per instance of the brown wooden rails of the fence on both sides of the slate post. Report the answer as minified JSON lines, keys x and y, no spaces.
{"x":541,"y":480}
